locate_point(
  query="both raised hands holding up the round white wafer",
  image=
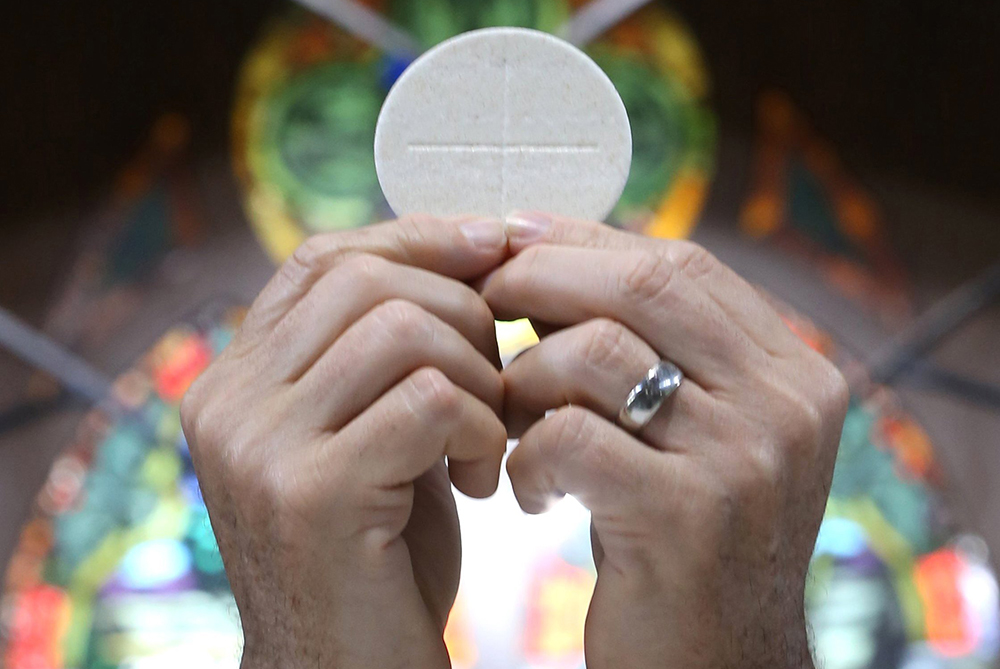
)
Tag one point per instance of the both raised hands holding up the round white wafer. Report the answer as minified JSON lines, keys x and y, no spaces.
{"x":320,"y":436}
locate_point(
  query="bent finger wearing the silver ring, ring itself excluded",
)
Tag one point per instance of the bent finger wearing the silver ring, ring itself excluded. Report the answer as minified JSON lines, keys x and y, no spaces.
{"x":595,"y":365}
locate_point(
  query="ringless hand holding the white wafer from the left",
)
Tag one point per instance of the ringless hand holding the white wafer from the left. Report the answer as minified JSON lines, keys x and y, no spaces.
{"x":319,"y":435}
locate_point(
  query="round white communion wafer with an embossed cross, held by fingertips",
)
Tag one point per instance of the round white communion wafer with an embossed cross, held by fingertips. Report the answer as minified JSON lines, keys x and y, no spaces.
{"x":503,"y":119}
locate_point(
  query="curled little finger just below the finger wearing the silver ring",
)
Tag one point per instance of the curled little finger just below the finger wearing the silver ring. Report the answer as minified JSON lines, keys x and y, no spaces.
{"x":575,"y":451}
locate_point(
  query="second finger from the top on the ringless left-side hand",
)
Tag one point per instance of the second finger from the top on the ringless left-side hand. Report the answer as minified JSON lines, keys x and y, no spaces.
{"x":353,"y":288}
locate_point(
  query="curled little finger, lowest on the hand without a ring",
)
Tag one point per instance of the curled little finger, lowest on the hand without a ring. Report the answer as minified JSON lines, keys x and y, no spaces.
{"x":411,"y":427}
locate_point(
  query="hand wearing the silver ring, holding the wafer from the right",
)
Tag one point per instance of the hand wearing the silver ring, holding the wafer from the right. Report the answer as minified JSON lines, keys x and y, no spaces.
{"x":704,"y":521}
